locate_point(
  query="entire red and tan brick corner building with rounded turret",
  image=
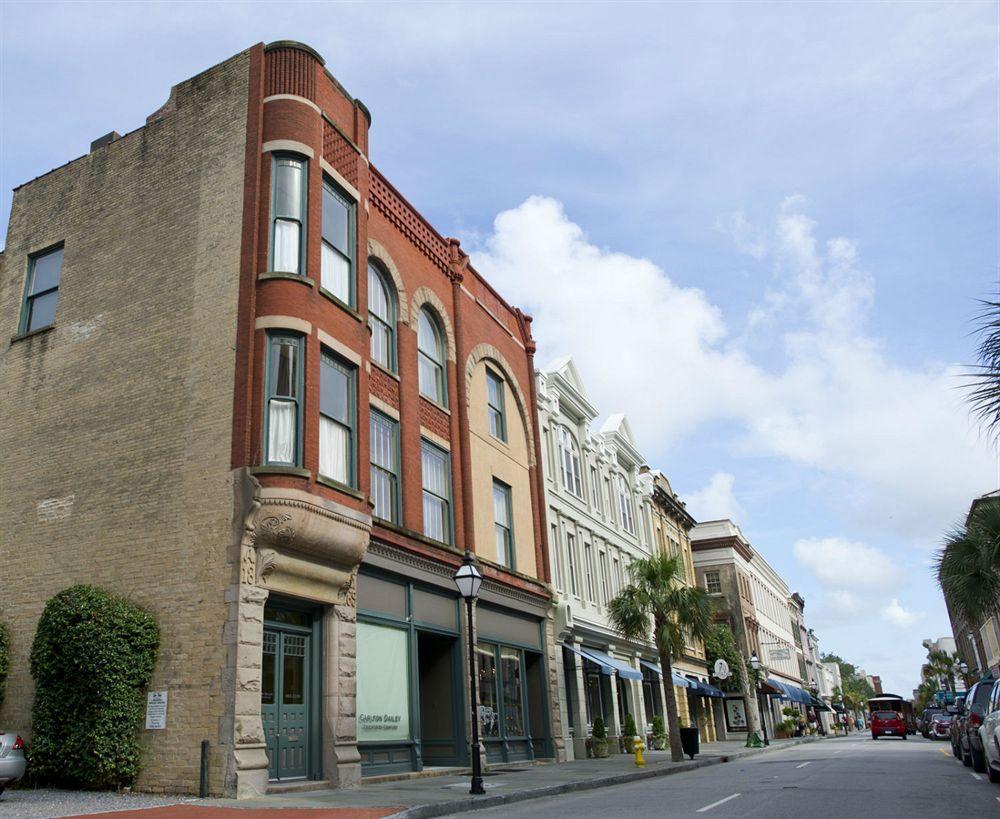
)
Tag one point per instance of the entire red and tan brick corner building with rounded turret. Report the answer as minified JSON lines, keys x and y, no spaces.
{"x":332,"y":406}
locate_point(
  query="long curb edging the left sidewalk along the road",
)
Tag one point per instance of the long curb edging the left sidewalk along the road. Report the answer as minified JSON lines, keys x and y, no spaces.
{"x":468,"y":804}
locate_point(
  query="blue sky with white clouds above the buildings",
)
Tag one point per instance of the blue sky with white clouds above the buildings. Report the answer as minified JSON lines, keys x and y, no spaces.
{"x":761,"y":230}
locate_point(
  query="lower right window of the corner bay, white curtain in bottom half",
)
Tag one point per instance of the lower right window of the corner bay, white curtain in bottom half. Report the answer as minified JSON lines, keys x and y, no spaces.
{"x":336,"y":419}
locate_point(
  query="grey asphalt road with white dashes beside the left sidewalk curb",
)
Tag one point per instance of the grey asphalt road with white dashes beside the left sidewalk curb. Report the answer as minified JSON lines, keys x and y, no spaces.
{"x":855,"y":777}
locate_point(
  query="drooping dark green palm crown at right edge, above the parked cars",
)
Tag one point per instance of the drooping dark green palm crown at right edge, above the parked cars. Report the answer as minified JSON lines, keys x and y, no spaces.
{"x":968,"y":566}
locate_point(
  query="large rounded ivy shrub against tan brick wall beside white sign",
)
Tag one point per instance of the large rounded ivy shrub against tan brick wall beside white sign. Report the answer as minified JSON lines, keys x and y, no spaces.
{"x":92,"y":658}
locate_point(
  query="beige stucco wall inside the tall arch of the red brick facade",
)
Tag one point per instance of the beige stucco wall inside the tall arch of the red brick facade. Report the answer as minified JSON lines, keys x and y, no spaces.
{"x":508,"y":462}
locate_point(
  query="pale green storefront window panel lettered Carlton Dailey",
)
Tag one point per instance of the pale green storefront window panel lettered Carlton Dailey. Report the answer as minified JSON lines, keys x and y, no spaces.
{"x":383,"y":684}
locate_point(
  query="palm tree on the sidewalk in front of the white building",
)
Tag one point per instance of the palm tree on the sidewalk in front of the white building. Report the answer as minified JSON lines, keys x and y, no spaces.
{"x":657,"y":597}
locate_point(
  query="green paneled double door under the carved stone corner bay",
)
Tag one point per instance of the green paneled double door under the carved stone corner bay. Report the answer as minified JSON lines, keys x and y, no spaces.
{"x":285,"y":703}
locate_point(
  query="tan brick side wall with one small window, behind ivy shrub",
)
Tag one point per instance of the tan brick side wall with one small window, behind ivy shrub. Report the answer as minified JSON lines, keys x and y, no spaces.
{"x":116,"y":425}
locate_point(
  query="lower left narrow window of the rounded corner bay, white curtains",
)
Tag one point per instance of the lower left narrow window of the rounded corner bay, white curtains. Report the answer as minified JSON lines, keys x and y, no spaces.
{"x":283,"y":385}
